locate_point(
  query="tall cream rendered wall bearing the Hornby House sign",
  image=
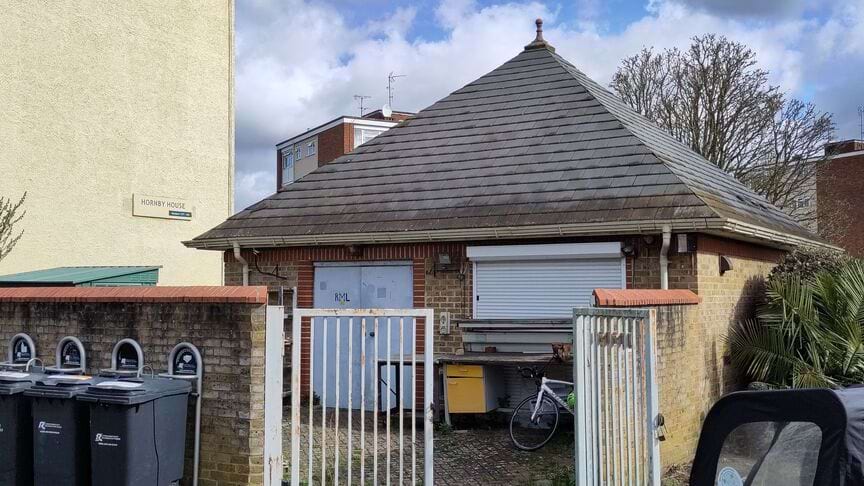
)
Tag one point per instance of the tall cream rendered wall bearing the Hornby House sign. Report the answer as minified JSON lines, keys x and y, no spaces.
{"x":105,"y":99}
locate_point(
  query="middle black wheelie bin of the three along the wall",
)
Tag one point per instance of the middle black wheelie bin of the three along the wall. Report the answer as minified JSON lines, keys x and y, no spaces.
{"x":61,"y":446}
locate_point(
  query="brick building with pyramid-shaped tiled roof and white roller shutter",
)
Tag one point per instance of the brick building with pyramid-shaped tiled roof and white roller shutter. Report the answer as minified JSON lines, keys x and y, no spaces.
{"x":515,"y":197}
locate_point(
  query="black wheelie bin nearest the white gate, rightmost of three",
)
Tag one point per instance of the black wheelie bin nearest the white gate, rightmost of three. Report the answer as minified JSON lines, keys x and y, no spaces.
{"x":137,"y":431}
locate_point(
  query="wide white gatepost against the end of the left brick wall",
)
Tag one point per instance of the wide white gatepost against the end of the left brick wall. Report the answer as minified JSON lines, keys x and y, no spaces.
{"x":274,"y":348}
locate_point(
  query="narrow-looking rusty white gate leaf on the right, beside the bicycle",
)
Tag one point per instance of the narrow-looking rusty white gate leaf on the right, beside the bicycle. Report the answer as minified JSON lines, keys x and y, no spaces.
{"x":616,"y":397}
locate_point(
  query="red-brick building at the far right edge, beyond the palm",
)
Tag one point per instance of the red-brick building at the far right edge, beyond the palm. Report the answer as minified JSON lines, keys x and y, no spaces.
{"x":839,"y":190}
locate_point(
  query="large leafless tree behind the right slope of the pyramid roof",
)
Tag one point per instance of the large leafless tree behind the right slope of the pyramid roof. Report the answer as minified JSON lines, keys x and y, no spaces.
{"x":714,"y":99}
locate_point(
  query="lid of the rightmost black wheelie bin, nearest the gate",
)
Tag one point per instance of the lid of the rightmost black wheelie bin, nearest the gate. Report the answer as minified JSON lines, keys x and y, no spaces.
{"x":134,"y":391}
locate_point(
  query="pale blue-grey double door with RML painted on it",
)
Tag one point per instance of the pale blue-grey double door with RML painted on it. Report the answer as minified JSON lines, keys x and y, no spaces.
{"x":362,"y":286}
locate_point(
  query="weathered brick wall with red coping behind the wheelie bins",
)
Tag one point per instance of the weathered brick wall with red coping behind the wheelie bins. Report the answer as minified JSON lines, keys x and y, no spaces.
{"x":229,"y":333}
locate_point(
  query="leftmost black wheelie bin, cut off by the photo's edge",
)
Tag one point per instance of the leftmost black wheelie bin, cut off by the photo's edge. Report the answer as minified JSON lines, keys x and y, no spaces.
{"x":16,"y":435}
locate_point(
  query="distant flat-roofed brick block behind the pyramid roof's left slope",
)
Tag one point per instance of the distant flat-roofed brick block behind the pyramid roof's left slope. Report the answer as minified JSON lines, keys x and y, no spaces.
{"x":301,"y":154}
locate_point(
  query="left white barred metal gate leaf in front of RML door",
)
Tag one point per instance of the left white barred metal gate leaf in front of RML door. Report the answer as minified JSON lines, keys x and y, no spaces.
{"x":350,"y":445}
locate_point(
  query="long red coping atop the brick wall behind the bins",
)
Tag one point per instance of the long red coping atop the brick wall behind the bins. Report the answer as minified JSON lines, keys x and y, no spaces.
{"x":241,"y":295}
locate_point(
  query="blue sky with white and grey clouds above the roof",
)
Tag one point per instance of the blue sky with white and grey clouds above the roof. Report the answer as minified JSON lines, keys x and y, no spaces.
{"x":299,"y":63}
